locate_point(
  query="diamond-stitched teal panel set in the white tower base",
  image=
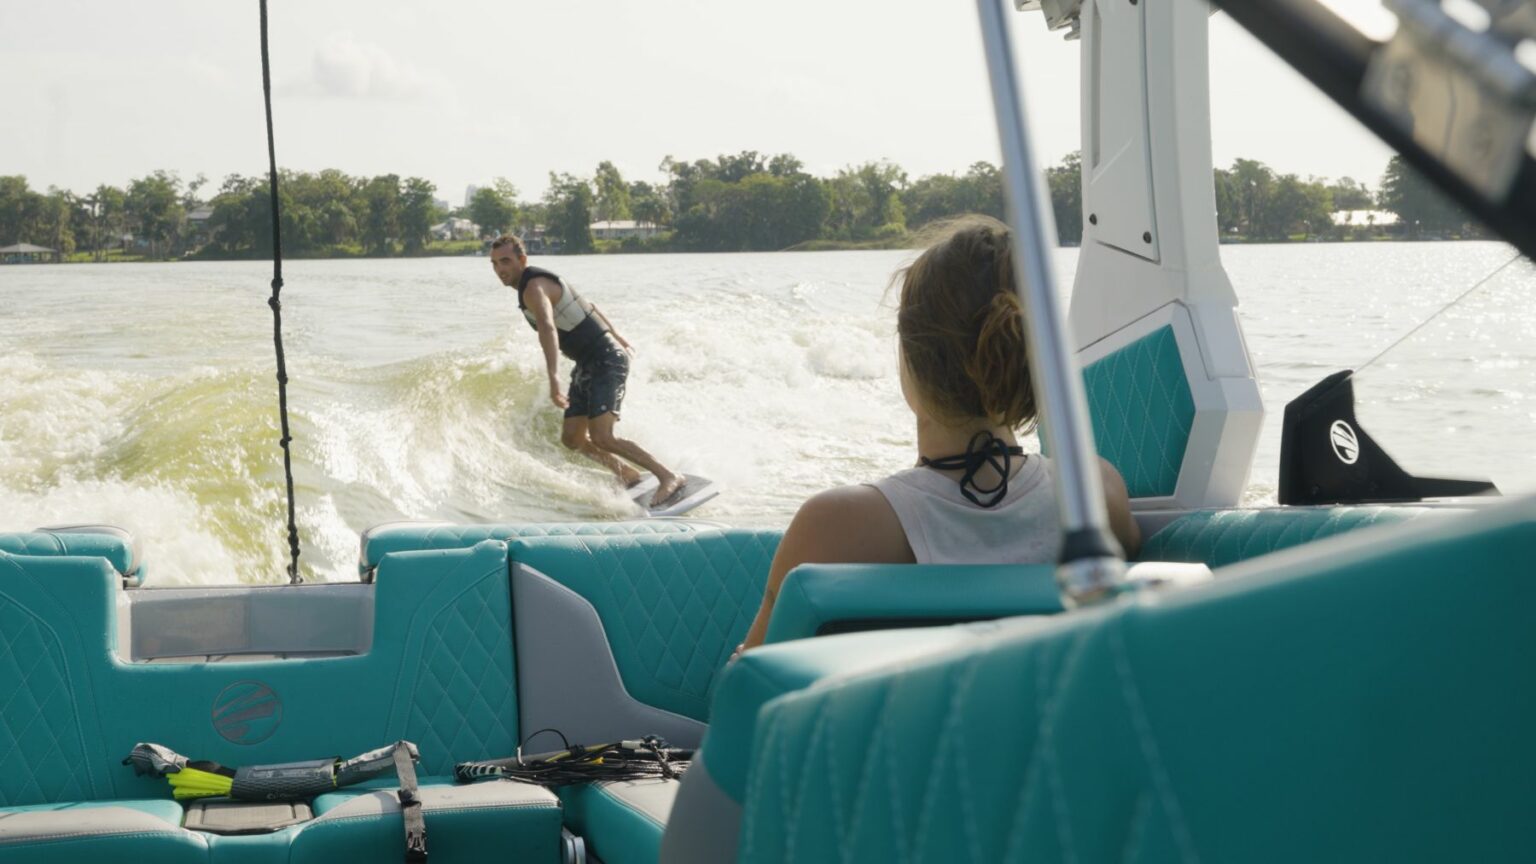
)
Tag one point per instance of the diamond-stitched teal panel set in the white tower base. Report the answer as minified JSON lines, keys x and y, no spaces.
{"x":1142,"y":413}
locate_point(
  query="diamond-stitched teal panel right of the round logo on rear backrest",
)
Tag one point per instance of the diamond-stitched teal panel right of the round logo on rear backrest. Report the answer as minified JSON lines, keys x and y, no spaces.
{"x":465,"y":702}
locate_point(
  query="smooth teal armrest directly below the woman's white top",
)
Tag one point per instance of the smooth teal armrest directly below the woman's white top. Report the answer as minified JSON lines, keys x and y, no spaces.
{"x":833,"y":599}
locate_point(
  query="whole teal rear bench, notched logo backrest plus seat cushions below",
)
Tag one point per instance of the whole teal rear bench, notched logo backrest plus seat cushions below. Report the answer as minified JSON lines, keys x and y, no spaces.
{"x":440,"y":673}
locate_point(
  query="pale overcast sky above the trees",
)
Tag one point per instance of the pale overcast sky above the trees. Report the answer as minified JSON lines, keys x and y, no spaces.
{"x":468,"y":91}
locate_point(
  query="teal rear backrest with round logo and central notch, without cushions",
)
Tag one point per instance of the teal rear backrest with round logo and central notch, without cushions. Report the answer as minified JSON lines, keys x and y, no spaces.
{"x":440,"y":673}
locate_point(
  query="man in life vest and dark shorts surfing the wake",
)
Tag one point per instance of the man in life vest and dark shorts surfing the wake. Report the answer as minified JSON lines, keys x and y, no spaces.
{"x":569,"y":324}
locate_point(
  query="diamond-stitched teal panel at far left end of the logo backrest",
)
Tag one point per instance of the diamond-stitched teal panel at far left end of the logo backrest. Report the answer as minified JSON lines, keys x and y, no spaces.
{"x":42,"y":757}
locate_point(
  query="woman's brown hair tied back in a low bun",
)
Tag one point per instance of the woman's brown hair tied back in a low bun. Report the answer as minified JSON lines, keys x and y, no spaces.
{"x":962,"y":330}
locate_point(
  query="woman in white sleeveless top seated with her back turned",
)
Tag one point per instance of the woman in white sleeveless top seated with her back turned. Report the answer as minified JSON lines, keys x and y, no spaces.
{"x":975,"y":497}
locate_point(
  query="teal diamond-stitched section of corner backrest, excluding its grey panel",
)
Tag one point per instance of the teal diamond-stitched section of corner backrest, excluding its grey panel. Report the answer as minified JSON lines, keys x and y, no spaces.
{"x":674,"y":605}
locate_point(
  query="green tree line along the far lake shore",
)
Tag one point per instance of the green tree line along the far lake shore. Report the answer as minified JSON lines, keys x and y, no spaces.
{"x":730,"y":204}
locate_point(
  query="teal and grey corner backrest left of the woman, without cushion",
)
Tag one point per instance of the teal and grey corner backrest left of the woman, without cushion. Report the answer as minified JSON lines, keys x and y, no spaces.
{"x":666,"y":611}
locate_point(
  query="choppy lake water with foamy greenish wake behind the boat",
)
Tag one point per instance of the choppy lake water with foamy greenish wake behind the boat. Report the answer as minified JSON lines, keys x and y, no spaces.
{"x":144,"y":396}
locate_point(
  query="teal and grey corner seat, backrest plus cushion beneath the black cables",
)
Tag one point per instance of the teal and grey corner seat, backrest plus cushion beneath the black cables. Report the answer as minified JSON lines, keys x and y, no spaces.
{"x":646,"y":622}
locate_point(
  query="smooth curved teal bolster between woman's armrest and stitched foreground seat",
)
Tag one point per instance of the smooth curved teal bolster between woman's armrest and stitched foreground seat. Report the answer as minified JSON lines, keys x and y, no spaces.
{"x":772,"y":671}
